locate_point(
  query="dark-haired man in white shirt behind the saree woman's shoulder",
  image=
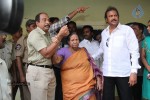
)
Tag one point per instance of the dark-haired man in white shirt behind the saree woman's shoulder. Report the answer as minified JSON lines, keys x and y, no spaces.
{"x":89,"y":43}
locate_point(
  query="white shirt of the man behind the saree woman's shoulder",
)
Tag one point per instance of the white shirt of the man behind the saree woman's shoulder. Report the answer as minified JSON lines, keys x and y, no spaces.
{"x":91,"y":47}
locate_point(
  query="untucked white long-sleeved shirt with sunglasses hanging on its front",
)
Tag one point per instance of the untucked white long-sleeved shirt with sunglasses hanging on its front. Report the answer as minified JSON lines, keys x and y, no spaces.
{"x":120,"y":49}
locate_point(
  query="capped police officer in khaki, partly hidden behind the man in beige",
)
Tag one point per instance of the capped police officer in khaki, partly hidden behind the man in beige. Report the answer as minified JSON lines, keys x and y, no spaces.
{"x":22,"y":59}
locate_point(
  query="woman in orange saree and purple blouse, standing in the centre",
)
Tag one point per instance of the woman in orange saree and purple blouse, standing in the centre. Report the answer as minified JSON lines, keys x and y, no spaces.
{"x":80,"y":76}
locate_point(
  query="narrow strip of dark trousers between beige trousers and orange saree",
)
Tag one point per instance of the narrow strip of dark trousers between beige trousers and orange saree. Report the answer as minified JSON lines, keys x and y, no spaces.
{"x":58,"y":91}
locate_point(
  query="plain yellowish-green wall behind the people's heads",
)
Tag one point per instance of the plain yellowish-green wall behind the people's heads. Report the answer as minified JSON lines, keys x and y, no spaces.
{"x":93,"y":16}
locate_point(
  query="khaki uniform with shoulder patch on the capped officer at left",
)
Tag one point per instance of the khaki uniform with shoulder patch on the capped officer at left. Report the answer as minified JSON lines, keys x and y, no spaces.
{"x":22,"y":51}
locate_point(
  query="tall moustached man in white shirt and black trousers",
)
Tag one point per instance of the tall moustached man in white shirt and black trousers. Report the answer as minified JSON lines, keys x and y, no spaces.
{"x":119,"y":68}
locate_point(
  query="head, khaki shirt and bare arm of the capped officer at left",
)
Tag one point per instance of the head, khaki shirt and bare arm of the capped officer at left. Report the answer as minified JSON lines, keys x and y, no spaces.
{"x":22,"y":51}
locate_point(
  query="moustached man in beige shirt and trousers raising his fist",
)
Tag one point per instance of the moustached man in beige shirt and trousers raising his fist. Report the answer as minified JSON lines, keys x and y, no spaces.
{"x":41,"y":48}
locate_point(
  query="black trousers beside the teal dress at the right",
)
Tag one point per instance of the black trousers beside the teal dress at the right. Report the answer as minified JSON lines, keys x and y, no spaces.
{"x":137,"y":89}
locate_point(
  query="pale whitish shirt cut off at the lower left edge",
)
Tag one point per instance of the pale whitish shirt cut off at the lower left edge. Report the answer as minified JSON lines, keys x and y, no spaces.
{"x":5,"y":83}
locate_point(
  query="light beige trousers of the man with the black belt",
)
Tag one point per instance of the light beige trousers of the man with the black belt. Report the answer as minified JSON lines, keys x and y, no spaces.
{"x":42,"y":83}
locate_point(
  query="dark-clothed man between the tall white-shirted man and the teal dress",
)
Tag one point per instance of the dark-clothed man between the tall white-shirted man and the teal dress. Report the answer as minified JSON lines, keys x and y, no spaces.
{"x":137,"y":88}
